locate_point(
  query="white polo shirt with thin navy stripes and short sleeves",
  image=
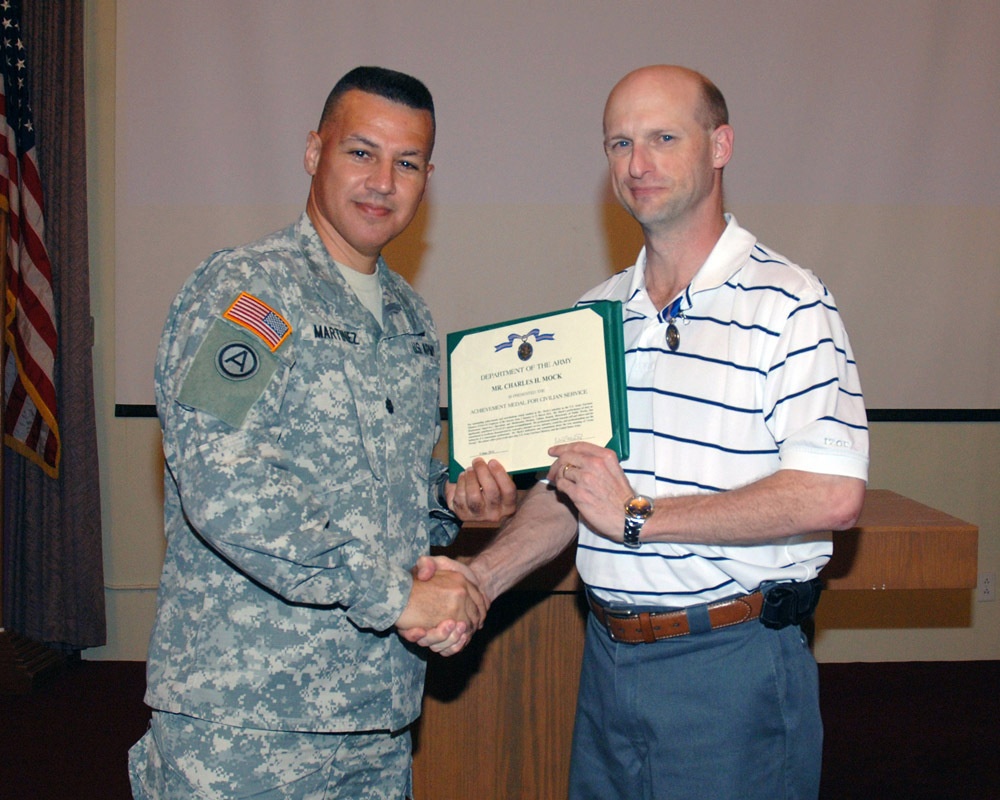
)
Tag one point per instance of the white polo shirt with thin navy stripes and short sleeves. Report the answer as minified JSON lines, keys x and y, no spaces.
{"x":763,"y":379}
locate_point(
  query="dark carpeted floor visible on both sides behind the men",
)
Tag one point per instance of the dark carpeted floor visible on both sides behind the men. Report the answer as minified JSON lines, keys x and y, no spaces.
{"x":902,"y":730}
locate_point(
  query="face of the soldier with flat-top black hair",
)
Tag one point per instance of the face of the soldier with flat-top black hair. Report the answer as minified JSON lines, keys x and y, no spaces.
{"x":369,"y":165}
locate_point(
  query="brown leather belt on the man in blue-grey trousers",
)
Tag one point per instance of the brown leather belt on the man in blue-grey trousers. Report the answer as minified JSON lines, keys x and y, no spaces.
{"x":652,"y":626}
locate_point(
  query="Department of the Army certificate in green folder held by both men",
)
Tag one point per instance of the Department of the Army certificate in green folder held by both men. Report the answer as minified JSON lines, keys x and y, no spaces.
{"x":517,"y":388}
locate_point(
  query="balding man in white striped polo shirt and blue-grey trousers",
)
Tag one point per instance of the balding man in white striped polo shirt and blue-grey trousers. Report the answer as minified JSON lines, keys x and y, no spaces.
{"x":748,"y":441}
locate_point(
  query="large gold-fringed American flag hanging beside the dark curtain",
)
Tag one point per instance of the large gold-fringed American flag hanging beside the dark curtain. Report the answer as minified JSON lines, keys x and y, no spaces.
{"x":29,"y":395}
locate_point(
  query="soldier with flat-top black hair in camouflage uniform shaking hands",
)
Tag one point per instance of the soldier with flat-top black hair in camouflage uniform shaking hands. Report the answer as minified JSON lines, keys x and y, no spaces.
{"x":297,"y":387}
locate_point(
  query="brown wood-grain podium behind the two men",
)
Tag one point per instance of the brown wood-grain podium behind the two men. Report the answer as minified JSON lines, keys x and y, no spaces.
{"x":498,"y":717}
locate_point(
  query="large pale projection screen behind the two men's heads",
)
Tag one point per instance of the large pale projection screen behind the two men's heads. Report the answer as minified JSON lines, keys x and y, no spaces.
{"x":865,"y":151}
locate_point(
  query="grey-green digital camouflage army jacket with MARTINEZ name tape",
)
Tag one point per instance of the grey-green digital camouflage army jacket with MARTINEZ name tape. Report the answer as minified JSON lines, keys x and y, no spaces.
{"x":299,"y":491}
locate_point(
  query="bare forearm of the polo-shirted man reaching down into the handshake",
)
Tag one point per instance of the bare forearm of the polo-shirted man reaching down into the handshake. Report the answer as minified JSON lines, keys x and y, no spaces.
{"x":544,"y":525}
